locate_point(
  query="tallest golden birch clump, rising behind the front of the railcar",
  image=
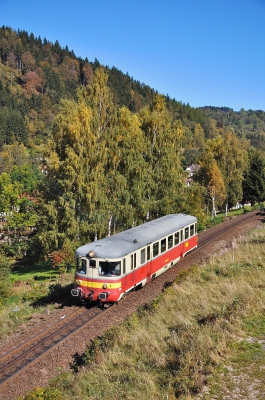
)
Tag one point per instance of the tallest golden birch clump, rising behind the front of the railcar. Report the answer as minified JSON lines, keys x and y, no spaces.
{"x":77,"y":187}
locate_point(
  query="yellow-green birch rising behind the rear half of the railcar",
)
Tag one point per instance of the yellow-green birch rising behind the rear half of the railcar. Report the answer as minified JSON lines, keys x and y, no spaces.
{"x":164,"y":192}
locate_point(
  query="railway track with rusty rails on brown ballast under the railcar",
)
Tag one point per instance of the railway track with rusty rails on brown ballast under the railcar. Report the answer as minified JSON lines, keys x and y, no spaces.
{"x":17,"y":365}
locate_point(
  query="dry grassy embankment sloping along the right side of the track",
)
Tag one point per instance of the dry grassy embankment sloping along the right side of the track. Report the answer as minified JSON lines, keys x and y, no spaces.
{"x":206,"y":329}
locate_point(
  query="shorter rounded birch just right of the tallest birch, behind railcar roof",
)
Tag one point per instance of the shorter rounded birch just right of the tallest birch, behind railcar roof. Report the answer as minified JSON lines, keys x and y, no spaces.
{"x":129,"y":170}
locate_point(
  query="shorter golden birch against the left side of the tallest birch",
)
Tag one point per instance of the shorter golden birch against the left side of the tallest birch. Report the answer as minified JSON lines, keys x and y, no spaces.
{"x":65,"y":205}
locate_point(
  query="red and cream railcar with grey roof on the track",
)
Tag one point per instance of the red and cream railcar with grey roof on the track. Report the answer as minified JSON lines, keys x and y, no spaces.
{"x":109,"y":268}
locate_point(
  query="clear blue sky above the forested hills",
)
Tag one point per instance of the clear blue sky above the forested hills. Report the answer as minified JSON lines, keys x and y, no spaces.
{"x":208,"y":52}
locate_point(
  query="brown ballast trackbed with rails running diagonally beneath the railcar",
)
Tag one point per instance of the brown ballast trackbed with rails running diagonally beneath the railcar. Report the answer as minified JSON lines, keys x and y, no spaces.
{"x":61,"y":345}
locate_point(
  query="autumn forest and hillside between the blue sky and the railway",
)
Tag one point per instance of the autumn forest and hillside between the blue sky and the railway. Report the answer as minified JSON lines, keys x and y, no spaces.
{"x":85,"y":150}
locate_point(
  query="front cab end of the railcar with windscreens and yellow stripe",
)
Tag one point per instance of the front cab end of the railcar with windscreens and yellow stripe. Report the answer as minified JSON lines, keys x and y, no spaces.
{"x":97,"y":280}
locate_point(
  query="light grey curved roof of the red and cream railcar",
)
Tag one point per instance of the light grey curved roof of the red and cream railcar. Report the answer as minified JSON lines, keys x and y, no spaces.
{"x":126,"y":242}
